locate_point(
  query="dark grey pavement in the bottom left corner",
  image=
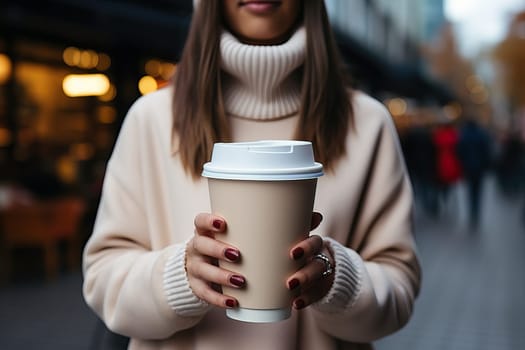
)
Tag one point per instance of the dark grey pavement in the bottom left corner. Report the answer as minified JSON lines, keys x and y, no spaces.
{"x":46,"y":316}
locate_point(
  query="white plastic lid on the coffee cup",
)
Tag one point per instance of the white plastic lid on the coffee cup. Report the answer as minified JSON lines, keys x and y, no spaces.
{"x":271,"y":160}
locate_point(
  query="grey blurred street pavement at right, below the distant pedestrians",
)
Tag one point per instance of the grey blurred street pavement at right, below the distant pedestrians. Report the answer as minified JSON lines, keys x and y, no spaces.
{"x":473,"y":287}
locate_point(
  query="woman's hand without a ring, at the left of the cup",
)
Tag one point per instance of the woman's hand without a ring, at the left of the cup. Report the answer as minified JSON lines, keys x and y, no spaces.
{"x":202,"y":255}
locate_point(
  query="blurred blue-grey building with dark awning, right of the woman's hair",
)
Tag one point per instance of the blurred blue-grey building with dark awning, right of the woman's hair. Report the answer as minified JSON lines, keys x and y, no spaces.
{"x":385,"y":41}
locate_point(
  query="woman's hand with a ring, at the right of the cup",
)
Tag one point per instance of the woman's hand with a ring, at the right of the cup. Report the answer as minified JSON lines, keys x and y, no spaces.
{"x":311,"y":281}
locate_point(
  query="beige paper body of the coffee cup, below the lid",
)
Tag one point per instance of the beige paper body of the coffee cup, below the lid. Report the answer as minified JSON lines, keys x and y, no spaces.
{"x":265,"y":219}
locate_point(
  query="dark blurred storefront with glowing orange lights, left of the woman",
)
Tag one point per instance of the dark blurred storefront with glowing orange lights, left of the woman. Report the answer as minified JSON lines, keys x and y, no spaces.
{"x":69,"y":71}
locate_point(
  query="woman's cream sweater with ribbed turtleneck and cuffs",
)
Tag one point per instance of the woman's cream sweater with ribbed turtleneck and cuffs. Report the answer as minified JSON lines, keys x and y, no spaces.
{"x":134,"y":261}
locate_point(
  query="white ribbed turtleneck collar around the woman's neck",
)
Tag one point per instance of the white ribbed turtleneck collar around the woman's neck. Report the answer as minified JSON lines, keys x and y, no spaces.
{"x":261,"y":83}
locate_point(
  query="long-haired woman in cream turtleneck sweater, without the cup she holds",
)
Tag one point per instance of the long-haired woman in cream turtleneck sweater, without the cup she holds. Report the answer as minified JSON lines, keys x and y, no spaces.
{"x":253,"y":70}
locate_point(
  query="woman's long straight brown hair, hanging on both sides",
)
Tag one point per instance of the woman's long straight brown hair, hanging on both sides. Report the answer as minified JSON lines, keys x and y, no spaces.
{"x":198,"y":111}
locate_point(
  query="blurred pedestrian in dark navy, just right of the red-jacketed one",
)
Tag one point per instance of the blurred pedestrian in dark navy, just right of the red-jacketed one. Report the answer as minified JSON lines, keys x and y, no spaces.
{"x":474,"y":151}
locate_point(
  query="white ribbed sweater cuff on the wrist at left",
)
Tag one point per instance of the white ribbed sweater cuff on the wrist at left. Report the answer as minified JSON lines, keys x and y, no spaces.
{"x":177,"y":288}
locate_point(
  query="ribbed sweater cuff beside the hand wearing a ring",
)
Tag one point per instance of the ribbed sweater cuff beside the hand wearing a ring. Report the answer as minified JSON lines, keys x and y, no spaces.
{"x":347,"y":280}
